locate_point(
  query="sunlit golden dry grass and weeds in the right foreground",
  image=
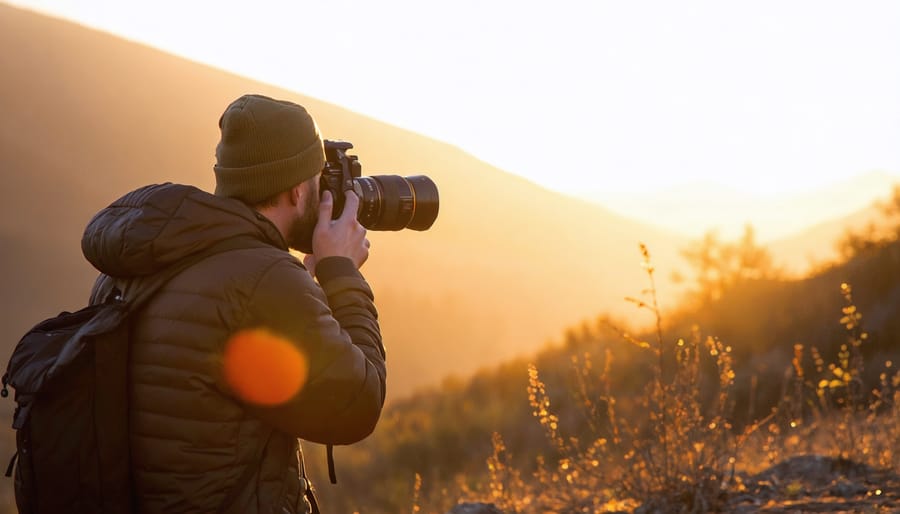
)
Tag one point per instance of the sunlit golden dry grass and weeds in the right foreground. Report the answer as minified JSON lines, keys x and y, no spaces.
{"x":672,"y":449}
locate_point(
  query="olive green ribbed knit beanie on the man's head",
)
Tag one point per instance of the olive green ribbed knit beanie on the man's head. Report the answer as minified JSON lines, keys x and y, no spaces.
{"x":267,"y":146}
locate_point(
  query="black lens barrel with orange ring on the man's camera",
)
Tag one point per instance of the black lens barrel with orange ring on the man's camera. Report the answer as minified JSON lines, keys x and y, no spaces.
{"x":392,"y":202}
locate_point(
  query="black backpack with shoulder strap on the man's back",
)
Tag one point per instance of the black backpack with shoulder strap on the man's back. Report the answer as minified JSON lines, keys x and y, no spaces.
{"x":70,"y":375}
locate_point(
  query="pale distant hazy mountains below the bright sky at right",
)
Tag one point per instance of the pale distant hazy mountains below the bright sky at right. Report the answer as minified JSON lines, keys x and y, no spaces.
{"x":801,"y":230}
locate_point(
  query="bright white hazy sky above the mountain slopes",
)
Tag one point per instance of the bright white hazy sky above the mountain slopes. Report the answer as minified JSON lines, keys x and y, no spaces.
{"x":579,"y":96}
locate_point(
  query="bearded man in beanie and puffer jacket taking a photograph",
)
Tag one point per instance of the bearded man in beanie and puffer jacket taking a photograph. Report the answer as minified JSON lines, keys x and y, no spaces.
{"x":243,"y":352}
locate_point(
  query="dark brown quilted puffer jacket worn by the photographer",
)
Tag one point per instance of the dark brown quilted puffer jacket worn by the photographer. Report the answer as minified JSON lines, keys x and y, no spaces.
{"x":192,"y":436}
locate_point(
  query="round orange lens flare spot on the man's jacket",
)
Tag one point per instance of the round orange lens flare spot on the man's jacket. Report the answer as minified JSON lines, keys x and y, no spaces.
{"x":264,"y":368}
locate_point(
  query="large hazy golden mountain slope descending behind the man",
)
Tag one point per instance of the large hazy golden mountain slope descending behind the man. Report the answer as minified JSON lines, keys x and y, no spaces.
{"x":88,"y":116}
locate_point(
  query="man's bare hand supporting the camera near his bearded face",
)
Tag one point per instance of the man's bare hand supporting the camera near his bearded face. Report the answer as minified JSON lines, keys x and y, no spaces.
{"x":343,"y":237}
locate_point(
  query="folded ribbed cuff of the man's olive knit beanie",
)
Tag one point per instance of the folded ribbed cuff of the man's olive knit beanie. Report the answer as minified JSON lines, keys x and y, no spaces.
{"x":253,"y":184}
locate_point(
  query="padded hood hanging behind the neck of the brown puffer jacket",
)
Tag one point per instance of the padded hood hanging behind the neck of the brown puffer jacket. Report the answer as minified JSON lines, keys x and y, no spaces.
{"x":155,"y":226}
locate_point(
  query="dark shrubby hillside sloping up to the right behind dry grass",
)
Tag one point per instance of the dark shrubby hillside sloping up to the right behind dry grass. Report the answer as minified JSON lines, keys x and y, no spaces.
{"x":445,"y":434}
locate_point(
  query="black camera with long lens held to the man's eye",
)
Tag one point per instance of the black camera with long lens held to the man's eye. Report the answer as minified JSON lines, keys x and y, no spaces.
{"x":386,"y":202}
